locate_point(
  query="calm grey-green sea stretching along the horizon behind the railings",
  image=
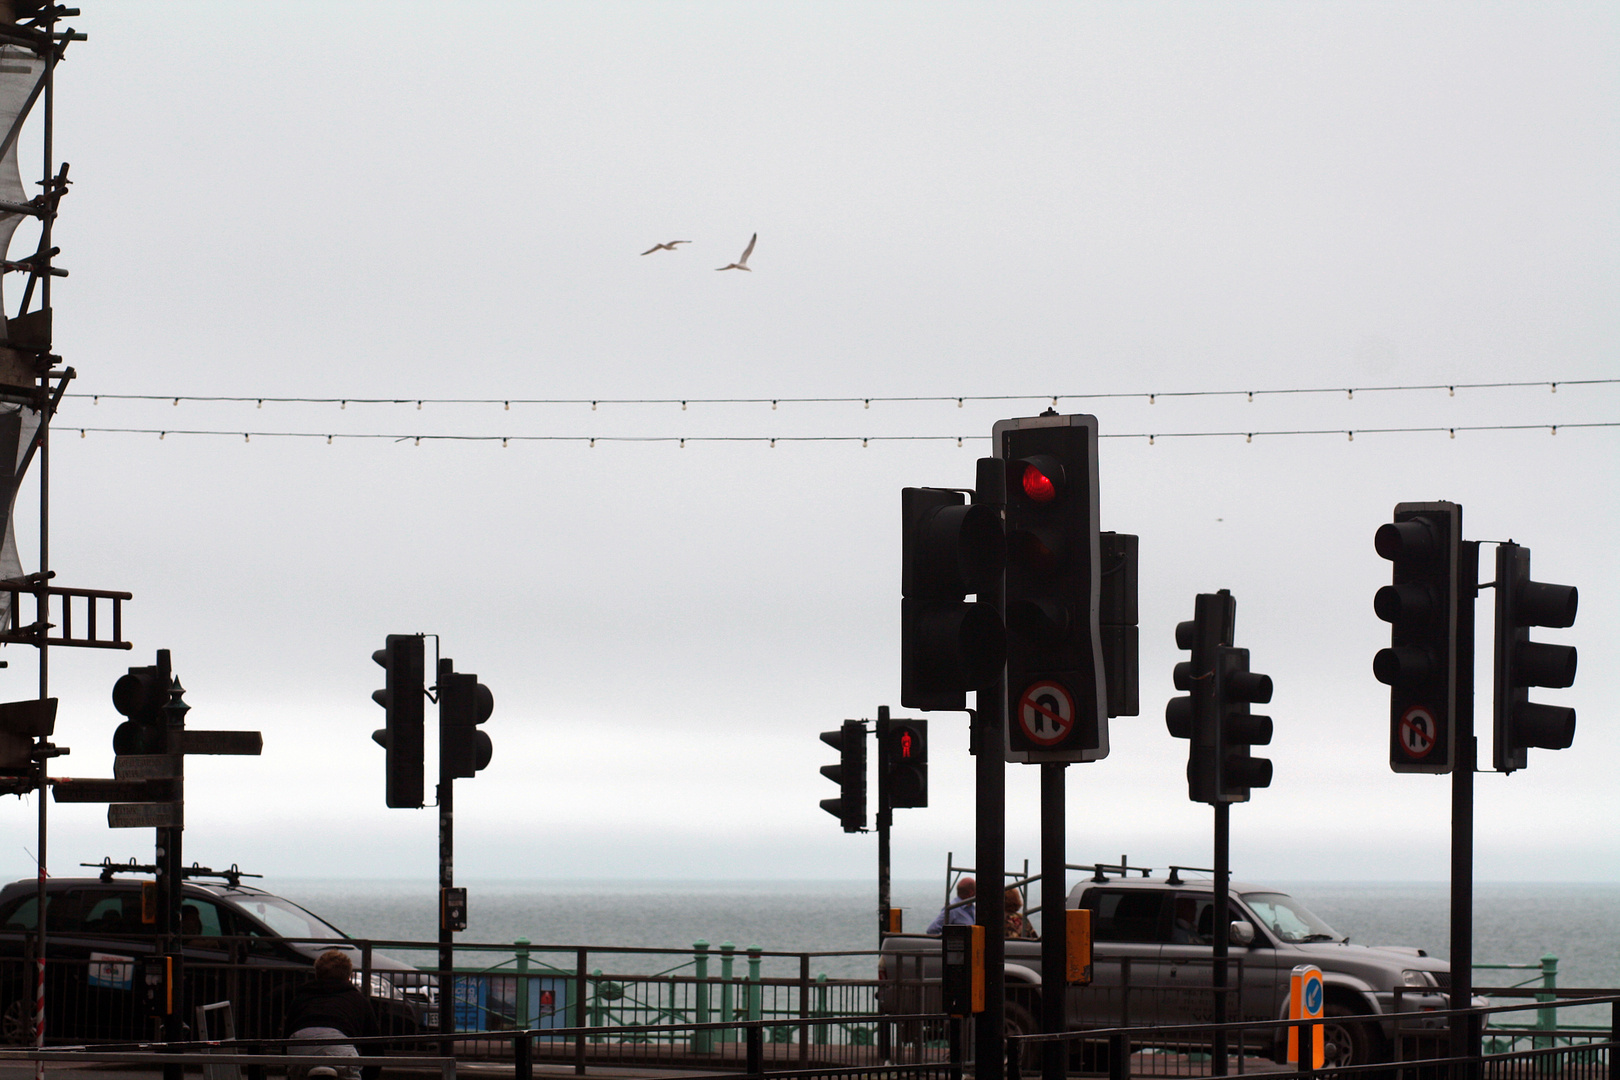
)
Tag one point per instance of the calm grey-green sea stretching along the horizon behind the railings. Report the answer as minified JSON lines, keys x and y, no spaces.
{"x":1514,"y":924}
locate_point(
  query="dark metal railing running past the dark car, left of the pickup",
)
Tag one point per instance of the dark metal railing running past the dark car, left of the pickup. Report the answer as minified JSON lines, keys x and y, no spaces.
{"x":96,"y":997}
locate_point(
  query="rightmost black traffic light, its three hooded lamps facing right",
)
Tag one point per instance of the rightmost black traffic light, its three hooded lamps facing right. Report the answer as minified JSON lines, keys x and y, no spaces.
{"x":1522,"y":663}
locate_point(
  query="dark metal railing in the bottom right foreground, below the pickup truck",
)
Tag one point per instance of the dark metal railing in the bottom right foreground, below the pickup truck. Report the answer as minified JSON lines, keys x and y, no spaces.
{"x":1420,"y":1048}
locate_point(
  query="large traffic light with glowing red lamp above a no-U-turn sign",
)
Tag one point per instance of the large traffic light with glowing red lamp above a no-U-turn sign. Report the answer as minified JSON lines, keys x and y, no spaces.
{"x":1055,"y":673}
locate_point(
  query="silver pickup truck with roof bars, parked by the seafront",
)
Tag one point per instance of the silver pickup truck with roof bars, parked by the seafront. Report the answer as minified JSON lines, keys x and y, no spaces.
{"x":1153,"y":964}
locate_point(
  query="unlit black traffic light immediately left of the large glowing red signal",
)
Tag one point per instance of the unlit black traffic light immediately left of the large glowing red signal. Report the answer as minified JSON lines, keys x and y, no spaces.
{"x":949,"y":645}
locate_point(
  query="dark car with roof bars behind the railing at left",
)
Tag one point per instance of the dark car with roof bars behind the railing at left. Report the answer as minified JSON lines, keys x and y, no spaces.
{"x":242,"y":945}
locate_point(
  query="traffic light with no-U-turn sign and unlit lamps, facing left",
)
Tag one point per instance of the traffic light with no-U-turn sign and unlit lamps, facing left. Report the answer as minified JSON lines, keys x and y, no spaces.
{"x":1422,"y":606}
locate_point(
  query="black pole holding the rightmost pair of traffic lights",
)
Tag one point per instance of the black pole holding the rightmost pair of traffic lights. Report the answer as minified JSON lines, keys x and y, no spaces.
{"x":1464,"y":1040}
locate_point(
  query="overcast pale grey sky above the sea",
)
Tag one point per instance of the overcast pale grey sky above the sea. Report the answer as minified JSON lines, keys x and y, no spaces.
{"x":1015,"y":202}
